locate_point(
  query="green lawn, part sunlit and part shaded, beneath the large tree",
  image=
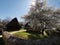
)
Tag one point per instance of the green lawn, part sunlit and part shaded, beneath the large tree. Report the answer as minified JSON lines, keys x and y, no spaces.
{"x":25,"y":35}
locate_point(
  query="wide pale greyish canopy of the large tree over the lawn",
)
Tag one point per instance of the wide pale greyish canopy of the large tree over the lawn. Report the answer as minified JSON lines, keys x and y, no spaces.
{"x":42,"y":17}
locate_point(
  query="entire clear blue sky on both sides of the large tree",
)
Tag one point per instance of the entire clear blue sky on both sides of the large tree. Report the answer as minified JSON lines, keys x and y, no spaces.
{"x":17,"y":8}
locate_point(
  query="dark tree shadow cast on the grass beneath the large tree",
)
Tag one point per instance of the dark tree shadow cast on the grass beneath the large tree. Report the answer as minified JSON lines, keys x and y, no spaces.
{"x":36,"y":35}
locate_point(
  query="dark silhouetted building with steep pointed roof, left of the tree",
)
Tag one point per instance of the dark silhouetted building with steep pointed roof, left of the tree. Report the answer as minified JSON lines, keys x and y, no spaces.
{"x":13,"y":25}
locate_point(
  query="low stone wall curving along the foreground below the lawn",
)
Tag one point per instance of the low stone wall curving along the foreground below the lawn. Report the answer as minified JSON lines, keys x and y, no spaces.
{"x":11,"y":40}
